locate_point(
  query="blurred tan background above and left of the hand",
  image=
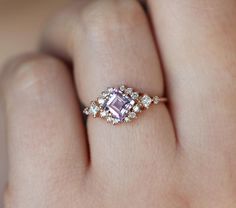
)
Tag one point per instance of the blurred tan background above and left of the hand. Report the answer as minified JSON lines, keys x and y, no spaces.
{"x":21,"y":23}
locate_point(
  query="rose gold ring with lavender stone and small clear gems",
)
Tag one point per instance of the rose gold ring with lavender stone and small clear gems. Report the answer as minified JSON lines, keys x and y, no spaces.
{"x":121,"y":104}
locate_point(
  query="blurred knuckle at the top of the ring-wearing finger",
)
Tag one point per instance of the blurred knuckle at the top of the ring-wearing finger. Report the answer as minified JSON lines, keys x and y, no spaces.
{"x":104,"y":19}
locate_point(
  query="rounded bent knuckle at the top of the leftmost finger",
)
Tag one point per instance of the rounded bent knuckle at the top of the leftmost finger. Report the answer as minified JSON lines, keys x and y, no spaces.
{"x":29,"y":71}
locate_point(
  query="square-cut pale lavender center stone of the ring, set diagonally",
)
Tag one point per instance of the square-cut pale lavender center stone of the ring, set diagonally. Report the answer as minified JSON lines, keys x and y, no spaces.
{"x":119,"y":105}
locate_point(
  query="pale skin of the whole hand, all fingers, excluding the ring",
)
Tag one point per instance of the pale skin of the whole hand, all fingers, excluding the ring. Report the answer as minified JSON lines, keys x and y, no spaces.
{"x":178,"y":155}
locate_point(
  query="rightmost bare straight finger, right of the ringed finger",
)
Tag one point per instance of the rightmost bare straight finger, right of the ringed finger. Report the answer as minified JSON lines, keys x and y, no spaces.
{"x":198,"y":47}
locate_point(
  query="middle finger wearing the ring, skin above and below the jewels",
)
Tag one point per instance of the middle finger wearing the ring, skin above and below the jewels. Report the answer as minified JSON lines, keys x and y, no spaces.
{"x":110,"y":43}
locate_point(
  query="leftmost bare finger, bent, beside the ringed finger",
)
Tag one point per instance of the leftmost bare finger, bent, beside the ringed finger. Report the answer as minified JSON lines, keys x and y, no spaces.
{"x":46,"y":141}
